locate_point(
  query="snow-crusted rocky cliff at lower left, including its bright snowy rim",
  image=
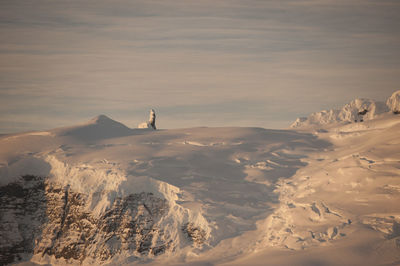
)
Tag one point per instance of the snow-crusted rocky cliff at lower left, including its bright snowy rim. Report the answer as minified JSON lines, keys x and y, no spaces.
{"x":103,"y":195}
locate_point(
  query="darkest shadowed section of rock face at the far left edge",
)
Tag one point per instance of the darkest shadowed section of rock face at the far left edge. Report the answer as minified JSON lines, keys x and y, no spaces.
{"x":22,"y":211}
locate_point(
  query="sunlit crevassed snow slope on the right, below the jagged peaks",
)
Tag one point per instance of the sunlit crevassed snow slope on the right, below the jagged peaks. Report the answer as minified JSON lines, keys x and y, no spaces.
{"x":342,"y":208}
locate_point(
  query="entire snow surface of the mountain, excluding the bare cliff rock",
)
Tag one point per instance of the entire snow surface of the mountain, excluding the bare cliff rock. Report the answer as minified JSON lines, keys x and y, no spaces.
{"x":246,"y":196}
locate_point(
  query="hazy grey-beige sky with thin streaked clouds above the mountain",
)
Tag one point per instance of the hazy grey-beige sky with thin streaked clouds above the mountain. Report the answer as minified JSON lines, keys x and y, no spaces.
{"x":197,"y":63}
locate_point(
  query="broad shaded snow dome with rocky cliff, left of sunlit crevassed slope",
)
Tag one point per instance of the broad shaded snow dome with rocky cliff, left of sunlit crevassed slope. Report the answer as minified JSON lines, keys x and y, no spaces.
{"x":106,"y":199}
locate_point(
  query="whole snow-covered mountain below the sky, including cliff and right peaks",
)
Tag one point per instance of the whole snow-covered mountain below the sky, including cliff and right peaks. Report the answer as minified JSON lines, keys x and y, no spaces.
{"x":321,"y":194}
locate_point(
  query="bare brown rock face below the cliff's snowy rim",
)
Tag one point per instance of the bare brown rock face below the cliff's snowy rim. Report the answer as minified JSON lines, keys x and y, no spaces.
{"x":39,"y":217}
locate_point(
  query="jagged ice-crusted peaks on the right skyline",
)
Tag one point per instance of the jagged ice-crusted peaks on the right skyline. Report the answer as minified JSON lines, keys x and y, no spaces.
{"x":357,"y":110}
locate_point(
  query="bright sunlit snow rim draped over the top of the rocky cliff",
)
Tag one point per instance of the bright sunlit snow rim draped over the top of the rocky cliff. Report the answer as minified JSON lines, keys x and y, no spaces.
{"x":104,"y":183}
